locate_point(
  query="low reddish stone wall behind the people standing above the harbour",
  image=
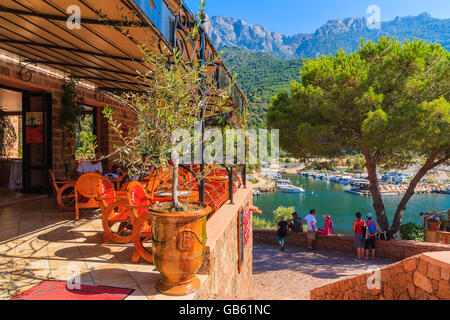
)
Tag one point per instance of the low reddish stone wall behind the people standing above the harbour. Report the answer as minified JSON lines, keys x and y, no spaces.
{"x":396,"y":250}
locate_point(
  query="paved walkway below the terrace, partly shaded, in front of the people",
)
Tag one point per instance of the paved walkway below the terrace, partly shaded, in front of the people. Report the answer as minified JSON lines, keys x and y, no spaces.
{"x":291,"y":274}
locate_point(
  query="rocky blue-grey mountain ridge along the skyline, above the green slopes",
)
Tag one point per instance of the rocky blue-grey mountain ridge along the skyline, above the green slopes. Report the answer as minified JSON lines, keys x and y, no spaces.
{"x":335,"y":34}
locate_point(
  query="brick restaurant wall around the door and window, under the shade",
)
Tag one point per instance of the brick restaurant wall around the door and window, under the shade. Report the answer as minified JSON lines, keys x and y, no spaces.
{"x":53,"y":83}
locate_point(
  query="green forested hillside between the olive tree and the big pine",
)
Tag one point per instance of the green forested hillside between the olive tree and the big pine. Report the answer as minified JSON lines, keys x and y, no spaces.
{"x":261,"y":76}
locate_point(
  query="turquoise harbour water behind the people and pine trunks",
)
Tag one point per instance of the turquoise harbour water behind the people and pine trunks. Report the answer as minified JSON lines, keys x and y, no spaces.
{"x":330,"y":199}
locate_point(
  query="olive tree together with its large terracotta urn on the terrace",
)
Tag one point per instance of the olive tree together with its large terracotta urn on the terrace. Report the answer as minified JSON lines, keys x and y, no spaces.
{"x":174,"y":97}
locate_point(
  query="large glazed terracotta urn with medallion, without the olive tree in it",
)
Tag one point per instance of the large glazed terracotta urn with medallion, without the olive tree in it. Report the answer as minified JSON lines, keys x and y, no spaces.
{"x":178,"y":245}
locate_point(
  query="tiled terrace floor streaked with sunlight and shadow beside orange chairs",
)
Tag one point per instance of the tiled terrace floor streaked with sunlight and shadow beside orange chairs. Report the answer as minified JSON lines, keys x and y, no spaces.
{"x":39,"y":243}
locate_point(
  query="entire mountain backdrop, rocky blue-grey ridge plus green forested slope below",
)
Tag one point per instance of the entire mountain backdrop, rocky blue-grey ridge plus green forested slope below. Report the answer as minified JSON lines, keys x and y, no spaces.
{"x":267,"y":62}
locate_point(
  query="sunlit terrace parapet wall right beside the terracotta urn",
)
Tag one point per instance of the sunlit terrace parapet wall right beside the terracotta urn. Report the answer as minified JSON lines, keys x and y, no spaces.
{"x":221,"y":260}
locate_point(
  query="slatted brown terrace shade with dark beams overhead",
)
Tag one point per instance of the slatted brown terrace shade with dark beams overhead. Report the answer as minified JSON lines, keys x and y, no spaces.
{"x":99,"y":52}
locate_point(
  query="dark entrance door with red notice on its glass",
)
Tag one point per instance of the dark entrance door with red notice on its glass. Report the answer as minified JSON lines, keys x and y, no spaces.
{"x":37,"y":141}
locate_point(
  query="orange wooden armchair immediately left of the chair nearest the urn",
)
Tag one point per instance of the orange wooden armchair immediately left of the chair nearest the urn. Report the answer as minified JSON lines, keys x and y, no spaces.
{"x":113,"y":205}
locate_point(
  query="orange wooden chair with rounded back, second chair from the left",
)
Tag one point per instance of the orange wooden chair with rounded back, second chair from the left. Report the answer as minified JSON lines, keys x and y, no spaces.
{"x":86,"y":192}
